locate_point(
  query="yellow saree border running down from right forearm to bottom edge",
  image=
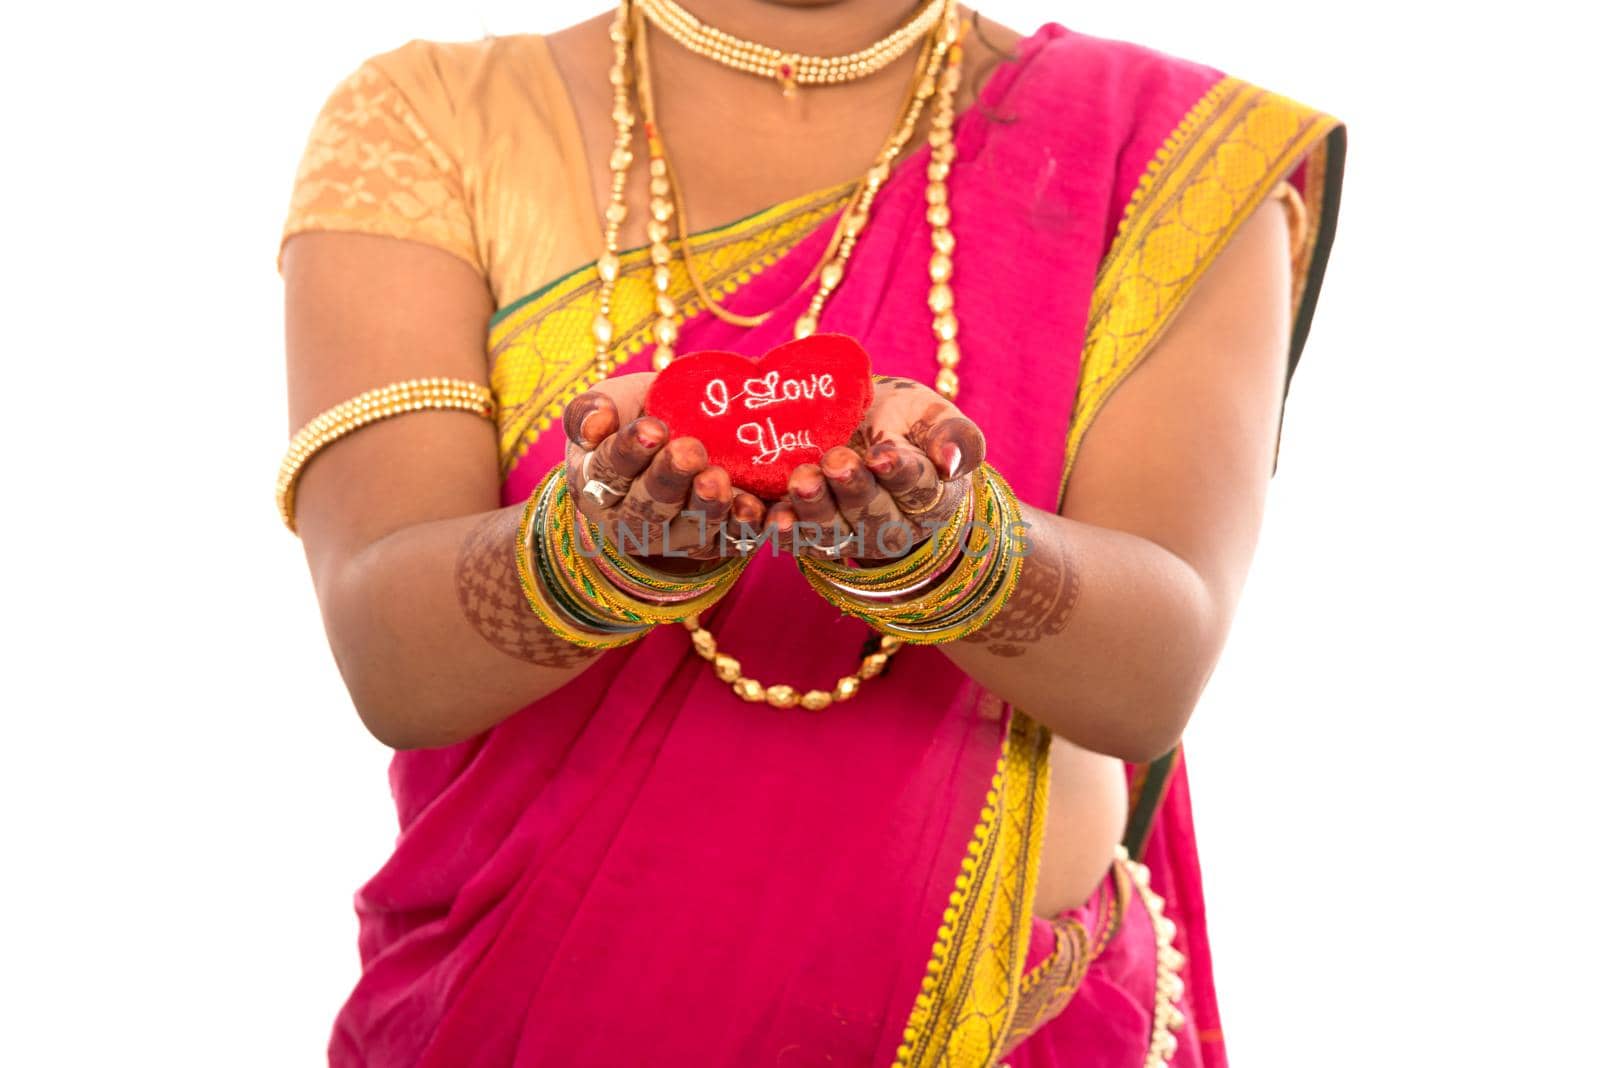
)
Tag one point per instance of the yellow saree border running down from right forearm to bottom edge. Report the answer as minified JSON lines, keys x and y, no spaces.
{"x":964,"y":1011}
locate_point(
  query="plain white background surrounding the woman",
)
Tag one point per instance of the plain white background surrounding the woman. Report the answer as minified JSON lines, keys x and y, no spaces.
{"x":1390,"y":767}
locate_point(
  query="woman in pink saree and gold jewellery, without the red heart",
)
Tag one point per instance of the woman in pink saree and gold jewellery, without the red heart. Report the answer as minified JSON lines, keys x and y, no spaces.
{"x":794,"y":831}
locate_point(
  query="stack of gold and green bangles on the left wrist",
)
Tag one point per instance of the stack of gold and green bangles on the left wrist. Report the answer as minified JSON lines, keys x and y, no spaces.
{"x":591,"y":594}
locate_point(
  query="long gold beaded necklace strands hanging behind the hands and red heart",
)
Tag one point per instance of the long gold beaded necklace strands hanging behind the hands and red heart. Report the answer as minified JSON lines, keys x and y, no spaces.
{"x":940,"y":79}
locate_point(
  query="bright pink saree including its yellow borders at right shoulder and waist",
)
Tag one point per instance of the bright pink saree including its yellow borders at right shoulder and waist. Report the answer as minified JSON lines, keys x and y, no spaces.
{"x":642,"y":869}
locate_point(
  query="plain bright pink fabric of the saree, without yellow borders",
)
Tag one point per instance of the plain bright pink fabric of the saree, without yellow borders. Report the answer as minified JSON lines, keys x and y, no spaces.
{"x":642,"y":869}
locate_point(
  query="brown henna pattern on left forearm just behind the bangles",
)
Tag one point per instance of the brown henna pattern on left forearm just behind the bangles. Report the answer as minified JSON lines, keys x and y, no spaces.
{"x":492,"y":599}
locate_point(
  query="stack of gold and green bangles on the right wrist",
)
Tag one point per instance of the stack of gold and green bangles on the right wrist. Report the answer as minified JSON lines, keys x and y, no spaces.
{"x":953,"y":591}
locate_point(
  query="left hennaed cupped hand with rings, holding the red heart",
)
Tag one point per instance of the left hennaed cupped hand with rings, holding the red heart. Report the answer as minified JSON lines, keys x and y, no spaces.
{"x":652,"y":495}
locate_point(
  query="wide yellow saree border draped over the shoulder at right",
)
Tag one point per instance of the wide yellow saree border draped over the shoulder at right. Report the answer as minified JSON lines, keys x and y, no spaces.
{"x":1214,"y":170}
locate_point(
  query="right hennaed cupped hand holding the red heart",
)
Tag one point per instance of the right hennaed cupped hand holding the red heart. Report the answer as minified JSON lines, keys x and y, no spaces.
{"x":903,"y":476}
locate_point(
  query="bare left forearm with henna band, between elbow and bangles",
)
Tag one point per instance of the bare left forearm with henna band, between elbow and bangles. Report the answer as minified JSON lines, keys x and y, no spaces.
{"x":434,"y":637}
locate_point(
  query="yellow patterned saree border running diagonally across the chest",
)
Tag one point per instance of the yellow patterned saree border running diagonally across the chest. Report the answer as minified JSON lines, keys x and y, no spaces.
{"x":540,"y":348}
